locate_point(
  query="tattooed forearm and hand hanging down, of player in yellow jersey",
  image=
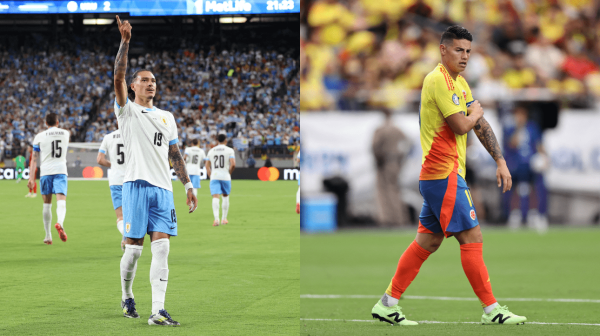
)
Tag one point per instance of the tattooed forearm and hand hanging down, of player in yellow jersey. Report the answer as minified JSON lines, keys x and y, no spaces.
{"x":486,"y":136}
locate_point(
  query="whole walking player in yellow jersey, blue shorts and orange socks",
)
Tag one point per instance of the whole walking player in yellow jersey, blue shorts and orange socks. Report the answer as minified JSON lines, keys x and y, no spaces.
{"x":447,"y":113}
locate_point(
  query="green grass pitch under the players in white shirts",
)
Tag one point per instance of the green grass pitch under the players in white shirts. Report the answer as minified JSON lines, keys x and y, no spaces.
{"x":238,"y":279}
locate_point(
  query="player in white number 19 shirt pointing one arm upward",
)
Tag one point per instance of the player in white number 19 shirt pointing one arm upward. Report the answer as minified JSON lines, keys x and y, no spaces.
{"x":150,"y":140}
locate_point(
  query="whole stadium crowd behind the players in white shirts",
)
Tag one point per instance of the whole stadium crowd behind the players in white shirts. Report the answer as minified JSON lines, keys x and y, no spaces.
{"x":252,"y":94}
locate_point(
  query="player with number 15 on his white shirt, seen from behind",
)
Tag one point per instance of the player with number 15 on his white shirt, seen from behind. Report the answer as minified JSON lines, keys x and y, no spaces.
{"x":52,"y":144}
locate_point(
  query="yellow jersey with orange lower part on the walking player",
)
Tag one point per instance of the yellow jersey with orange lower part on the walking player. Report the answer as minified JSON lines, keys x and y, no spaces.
{"x":444,"y":151}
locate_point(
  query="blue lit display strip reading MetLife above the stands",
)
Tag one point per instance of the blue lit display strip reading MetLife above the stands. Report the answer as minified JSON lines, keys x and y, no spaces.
{"x":153,"y":7}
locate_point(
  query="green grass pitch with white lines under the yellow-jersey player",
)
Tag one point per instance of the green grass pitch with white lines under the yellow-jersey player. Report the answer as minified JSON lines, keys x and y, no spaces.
{"x":562,"y":264}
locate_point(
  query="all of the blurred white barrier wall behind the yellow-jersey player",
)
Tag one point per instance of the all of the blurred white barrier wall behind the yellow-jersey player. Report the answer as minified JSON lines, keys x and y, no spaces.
{"x":339,"y":143}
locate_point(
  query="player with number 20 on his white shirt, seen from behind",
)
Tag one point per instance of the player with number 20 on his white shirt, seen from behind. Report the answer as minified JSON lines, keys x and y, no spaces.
{"x":220,"y":163}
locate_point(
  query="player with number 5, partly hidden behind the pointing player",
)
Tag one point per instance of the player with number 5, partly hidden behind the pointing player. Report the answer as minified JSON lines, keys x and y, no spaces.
{"x":112,"y":144}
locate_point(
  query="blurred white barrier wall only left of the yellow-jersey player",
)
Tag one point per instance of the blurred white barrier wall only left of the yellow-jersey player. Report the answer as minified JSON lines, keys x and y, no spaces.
{"x":336,"y":143}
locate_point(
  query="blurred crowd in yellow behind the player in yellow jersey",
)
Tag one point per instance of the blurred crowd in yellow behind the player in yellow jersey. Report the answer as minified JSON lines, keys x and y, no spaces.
{"x":359,"y":54}
